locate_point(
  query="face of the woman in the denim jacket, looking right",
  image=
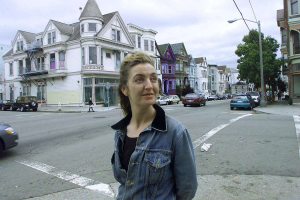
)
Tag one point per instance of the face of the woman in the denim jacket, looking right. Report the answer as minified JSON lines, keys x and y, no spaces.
{"x":142,"y":85}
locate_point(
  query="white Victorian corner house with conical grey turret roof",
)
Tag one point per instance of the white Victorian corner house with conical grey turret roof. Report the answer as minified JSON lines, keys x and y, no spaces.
{"x":69,"y":63}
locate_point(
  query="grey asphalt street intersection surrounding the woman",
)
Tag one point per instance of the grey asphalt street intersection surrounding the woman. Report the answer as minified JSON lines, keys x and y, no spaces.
{"x":253,"y":156}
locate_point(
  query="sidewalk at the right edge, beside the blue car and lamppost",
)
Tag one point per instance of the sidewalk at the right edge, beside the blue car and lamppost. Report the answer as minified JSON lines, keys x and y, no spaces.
{"x":279,"y":108}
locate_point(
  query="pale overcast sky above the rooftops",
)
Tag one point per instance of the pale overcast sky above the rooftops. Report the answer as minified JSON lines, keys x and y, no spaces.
{"x":200,"y":24}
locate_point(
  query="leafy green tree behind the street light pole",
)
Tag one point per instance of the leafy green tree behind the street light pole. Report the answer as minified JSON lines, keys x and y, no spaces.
{"x":249,"y":61}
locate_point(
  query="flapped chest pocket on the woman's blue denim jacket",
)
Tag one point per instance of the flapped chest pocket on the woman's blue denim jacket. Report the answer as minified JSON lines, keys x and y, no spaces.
{"x":156,"y":163}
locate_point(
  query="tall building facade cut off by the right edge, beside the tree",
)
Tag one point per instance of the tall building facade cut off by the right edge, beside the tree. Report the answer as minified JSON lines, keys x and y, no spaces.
{"x":288,"y":19}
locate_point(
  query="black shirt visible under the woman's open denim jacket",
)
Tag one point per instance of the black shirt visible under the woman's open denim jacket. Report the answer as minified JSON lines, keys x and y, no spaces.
{"x":129,"y":147}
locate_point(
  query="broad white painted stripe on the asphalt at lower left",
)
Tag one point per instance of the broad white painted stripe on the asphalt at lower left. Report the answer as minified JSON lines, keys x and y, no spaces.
{"x":87,"y":183}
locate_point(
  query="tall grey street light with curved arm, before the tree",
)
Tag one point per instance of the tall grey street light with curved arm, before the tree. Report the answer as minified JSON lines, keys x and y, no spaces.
{"x":262,"y":101}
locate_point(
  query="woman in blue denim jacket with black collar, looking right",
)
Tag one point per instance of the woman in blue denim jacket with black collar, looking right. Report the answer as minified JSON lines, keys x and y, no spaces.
{"x":153,"y":156}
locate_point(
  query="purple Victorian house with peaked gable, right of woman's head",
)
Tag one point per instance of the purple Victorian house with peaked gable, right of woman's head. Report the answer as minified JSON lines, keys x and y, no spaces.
{"x":167,"y":60}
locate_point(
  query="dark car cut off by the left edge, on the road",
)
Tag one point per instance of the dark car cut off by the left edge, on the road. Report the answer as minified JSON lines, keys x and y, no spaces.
{"x":8,"y":137}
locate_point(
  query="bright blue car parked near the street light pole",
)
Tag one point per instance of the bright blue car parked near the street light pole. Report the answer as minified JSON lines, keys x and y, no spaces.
{"x":242,"y":101}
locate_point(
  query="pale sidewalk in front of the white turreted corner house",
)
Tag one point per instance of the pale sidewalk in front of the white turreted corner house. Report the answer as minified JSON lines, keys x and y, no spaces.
{"x":74,"y":109}
